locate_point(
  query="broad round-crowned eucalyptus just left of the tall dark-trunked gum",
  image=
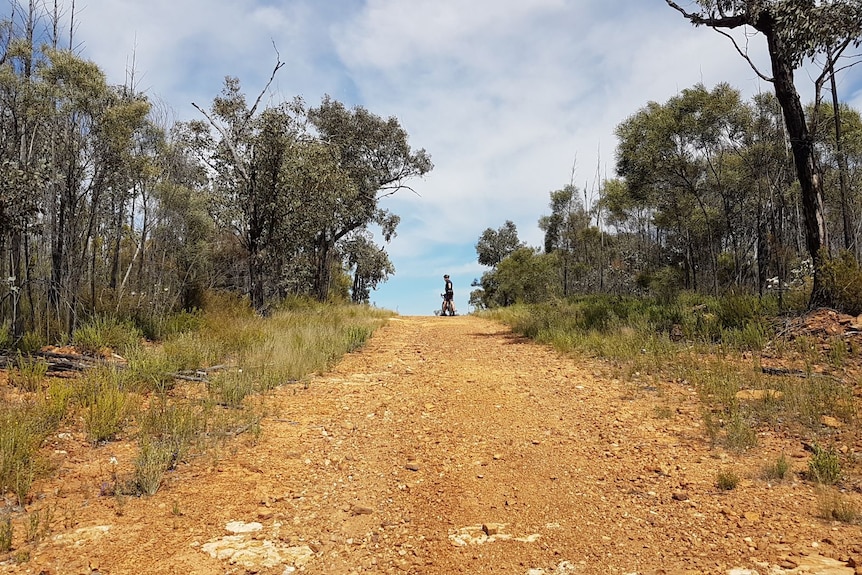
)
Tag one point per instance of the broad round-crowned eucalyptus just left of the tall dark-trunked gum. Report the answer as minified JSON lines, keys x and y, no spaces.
{"x":680,"y":158}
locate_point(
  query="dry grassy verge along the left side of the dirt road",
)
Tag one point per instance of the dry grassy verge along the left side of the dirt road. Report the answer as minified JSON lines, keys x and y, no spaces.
{"x":203,"y":384}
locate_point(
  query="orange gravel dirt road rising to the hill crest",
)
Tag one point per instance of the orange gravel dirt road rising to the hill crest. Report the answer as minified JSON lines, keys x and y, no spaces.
{"x":448,"y":445}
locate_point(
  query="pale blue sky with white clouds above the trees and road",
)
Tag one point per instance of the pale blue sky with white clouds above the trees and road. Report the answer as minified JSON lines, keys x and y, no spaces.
{"x":512,"y":99}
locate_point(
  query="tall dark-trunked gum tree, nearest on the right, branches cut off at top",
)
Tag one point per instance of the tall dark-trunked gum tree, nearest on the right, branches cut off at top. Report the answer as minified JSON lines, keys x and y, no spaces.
{"x":795,"y":30}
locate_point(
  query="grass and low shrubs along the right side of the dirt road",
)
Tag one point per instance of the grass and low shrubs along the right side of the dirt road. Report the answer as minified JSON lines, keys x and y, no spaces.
{"x":755,"y":368}
